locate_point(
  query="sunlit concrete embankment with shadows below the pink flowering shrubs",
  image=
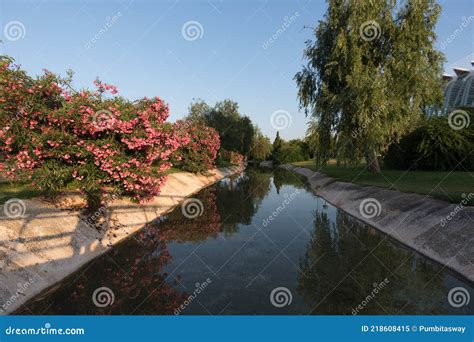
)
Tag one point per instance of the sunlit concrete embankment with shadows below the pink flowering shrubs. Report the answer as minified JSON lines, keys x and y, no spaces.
{"x":47,"y":244}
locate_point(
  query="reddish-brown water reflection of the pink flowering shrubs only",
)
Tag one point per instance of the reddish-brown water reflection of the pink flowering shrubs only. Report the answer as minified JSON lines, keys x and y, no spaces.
{"x":134,"y":271}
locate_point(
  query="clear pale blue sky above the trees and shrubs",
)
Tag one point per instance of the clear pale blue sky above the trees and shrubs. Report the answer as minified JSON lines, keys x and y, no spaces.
{"x":141,"y":47}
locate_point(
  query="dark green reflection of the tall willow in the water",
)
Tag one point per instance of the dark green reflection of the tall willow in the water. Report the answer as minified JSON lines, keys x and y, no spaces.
{"x":341,"y":263}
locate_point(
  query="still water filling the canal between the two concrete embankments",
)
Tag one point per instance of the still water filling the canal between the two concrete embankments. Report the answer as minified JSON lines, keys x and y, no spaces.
{"x":308,"y":258}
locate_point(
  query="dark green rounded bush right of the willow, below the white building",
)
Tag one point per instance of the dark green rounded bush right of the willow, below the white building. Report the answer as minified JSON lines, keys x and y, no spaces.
{"x":433,"y":146}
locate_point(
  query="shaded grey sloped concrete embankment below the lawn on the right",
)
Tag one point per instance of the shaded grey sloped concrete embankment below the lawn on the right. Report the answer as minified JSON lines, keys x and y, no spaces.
{"x":437,"y":229}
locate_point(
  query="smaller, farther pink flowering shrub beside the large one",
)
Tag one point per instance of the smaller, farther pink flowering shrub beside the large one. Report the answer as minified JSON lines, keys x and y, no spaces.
{"x":199,"y":146}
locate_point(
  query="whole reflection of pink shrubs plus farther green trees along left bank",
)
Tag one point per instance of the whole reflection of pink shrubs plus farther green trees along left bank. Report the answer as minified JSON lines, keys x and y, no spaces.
{"x":134,"y":271}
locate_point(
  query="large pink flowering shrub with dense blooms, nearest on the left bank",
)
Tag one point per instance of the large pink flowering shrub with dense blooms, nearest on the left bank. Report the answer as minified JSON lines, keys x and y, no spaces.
{"x":55,"y":136}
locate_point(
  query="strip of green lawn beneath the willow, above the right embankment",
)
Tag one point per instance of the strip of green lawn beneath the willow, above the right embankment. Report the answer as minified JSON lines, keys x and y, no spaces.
{"x":448,"y":186}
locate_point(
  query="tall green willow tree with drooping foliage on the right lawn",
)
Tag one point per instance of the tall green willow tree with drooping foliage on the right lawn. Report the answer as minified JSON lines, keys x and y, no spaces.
{"x":371,"y":72}
